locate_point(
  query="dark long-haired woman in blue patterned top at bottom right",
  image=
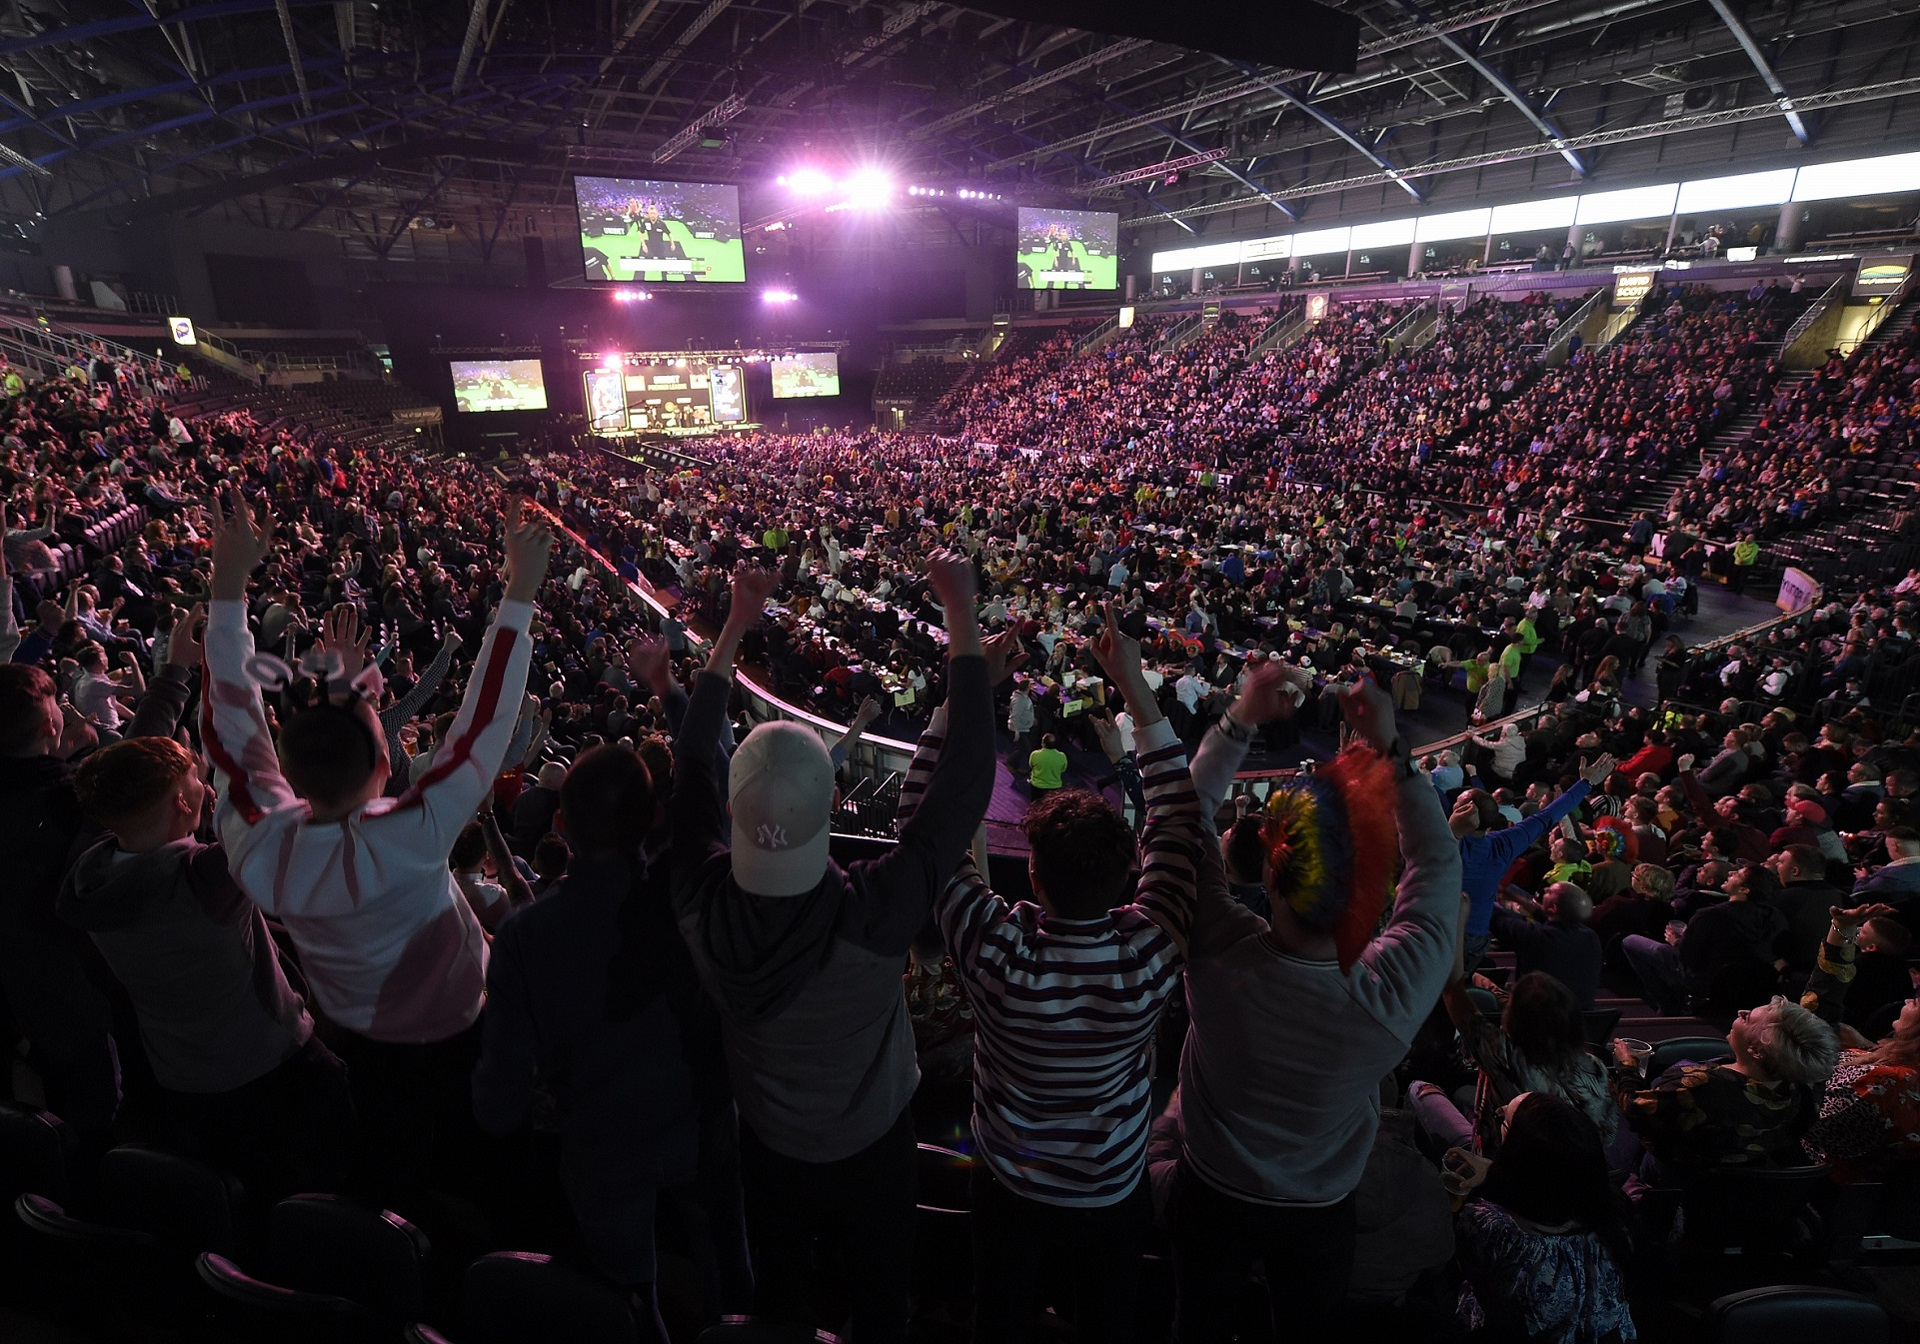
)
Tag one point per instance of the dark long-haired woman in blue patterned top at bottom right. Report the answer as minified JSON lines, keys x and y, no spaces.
{"x":1543,"y":1234}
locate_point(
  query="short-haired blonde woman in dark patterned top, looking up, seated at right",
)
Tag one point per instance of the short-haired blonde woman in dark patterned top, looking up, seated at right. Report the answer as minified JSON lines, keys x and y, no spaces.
{"x":1748,"y":1109}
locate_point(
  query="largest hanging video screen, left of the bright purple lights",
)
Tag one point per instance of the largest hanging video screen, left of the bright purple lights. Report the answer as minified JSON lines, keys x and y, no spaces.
{"x":660,"y":231}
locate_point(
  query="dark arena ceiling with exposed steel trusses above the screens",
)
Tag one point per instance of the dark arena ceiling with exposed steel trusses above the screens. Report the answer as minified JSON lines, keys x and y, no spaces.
{"x":379,"y":120}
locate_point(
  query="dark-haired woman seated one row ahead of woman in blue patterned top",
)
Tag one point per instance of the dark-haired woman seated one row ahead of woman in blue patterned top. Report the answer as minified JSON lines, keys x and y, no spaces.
{"x":1537,"y":1047}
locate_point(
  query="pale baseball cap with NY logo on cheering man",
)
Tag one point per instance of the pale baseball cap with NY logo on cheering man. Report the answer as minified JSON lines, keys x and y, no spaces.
{"x":780,"y":790}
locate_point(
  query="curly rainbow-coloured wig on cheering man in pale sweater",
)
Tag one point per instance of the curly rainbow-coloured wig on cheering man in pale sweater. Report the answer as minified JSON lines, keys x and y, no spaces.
{"x":1332,"y":846}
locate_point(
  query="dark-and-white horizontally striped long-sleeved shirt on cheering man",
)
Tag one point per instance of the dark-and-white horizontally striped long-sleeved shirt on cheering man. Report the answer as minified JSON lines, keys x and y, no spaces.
{"x":1067,"y":1009}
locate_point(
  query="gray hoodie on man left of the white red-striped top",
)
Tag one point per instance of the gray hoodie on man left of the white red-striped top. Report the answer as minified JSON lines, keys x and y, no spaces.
{"x":195,"y":955}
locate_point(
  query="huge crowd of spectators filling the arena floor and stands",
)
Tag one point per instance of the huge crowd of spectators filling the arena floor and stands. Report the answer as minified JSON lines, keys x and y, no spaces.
{"x":372,"y":840}
